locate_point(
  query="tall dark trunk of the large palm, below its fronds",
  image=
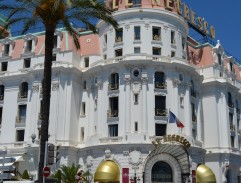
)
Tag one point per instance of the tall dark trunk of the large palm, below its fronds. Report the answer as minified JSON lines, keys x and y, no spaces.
{"x":46,"y":84}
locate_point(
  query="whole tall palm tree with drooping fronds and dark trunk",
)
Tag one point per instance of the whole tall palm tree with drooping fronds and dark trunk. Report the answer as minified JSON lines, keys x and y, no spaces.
{"x":51,"y":13}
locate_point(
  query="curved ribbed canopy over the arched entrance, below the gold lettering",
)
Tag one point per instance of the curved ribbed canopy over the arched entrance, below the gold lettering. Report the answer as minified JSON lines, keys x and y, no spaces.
{"x":179,"y":152}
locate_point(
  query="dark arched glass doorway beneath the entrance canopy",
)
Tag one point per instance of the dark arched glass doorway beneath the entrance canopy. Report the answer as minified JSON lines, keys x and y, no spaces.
{"x":161,"y":172}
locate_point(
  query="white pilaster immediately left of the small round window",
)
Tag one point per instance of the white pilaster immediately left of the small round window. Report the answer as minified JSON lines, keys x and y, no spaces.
{"x":127,"y":104}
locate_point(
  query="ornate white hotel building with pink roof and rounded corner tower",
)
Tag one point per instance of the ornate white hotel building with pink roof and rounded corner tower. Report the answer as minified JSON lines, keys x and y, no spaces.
{"x":110,"y":100}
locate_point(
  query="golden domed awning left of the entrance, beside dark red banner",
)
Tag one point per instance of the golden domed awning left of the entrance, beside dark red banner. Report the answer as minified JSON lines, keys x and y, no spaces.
{"x":107,"y":171}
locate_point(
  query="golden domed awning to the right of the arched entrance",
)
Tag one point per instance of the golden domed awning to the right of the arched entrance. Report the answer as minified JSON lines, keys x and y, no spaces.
{"x":205,"y":174}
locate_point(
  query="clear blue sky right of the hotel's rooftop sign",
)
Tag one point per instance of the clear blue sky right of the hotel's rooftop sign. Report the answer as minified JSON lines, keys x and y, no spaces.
{"x":225,"y":16}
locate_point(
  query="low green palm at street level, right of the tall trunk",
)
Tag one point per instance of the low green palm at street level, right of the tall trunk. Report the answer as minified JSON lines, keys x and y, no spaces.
{"x":66,"y":174}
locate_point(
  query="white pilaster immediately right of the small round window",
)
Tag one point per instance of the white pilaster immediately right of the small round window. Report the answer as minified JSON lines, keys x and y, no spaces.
{"x":144,"y":79}
